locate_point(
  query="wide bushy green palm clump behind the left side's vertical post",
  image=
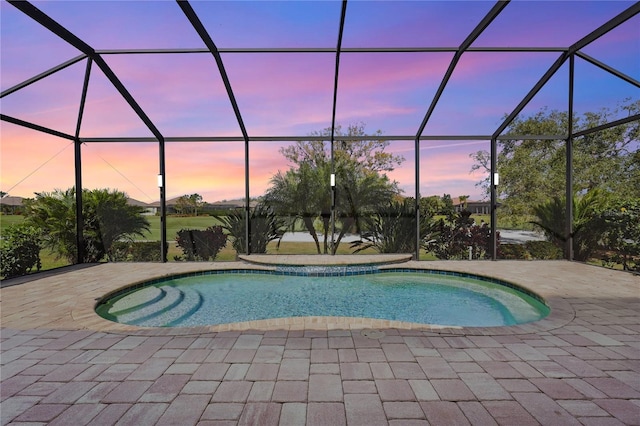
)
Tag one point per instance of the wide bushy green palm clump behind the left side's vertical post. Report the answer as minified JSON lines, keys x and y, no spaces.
{"x":107,"y":218}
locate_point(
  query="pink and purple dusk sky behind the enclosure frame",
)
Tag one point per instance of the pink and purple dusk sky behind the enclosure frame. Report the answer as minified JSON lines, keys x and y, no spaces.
{"x":287,"y":94}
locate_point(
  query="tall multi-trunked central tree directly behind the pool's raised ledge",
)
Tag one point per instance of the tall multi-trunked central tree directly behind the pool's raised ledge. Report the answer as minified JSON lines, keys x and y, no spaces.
{"x":303,"y":192}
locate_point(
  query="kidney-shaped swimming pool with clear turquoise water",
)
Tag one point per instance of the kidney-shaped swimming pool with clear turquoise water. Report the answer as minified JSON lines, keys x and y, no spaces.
{"x":417,"y":296}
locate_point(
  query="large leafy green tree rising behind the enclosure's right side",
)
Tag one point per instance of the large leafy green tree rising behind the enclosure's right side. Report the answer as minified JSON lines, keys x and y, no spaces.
{"x":533,"y":171}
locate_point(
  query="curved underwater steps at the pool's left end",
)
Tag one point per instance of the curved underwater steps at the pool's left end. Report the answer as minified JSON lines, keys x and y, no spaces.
{"x":171,"y":304}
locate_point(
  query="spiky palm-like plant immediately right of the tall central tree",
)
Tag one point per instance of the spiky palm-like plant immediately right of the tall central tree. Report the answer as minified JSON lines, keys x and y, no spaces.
{"x":392,"y":229}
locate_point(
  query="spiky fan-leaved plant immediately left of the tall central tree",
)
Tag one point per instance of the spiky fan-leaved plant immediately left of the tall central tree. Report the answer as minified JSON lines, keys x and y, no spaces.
{"x":265,"y":226}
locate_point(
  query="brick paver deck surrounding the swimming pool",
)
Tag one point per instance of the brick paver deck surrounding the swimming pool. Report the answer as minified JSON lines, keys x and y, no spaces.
{"x":62,"y":364}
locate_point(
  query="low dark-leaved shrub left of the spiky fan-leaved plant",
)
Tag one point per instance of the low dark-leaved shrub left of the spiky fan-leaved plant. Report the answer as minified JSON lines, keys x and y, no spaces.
{"x":199,"y":244}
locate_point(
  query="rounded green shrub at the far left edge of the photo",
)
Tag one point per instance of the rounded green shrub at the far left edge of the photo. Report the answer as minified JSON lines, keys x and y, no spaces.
{"x":20,"y":251}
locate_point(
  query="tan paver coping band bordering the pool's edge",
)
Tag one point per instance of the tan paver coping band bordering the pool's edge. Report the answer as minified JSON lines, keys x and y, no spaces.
{"x":84,"y":312}
